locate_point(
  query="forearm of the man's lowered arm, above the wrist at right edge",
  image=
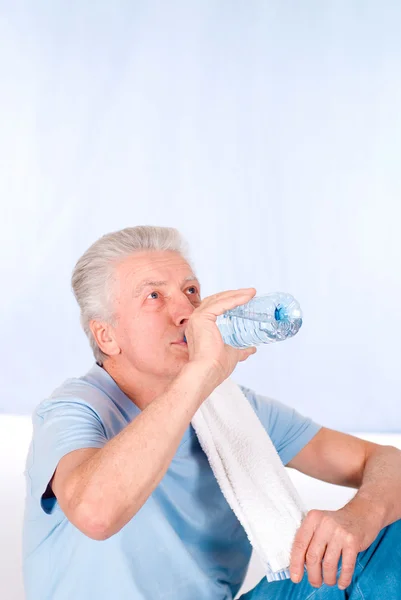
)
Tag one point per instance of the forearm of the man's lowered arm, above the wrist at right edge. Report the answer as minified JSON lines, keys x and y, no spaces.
{"x":380,"y":492}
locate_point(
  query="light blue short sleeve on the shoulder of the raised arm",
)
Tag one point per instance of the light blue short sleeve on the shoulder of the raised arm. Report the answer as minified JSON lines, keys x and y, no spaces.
{"x":59,"y":427}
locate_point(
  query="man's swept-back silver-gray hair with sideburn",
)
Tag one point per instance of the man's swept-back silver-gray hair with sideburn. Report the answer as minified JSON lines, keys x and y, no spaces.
{"x":92,"y":277}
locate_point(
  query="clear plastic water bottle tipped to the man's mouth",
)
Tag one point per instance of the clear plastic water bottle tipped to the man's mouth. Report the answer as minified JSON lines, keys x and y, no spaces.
{"x":264,"y":319}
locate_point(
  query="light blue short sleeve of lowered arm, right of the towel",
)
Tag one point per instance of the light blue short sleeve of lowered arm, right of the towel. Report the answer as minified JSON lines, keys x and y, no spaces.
{"x":289,"y":430}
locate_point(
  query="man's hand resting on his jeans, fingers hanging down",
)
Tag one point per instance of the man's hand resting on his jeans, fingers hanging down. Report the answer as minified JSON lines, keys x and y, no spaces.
{"x":328,"y":534}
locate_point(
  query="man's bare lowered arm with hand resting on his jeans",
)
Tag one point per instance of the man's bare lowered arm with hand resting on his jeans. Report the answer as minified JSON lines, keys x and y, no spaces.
{"x":346,"y":460}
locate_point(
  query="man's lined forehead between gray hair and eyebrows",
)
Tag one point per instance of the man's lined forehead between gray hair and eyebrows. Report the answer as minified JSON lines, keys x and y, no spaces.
{"x":156,"y":265}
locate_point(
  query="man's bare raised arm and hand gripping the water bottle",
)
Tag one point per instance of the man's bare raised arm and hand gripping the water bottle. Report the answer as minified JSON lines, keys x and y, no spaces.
{"x":109,"y":485}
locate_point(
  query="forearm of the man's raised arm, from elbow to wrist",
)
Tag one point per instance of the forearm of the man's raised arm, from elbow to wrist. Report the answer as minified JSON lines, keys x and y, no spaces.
{"x":111,"y":486}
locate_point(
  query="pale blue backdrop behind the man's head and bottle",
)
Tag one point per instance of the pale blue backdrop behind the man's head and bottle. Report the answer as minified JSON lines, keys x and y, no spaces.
{"x":269,"y":133}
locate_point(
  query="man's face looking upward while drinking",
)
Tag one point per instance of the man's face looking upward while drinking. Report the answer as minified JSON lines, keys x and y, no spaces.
{"x":150,"y":317}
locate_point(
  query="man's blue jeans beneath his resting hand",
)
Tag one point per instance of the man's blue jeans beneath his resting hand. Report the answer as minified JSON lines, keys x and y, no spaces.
{"x":377,"y":576}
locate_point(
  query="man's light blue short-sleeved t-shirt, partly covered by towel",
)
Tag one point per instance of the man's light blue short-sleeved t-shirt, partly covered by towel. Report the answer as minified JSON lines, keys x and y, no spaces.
{"x":184,"y":543}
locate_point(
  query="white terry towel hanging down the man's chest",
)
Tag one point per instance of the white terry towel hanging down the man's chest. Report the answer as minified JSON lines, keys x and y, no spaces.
{"x":251,"y":475}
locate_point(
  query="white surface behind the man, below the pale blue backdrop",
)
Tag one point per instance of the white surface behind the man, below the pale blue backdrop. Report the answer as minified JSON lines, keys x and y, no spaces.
{"x":15,"y":434}
